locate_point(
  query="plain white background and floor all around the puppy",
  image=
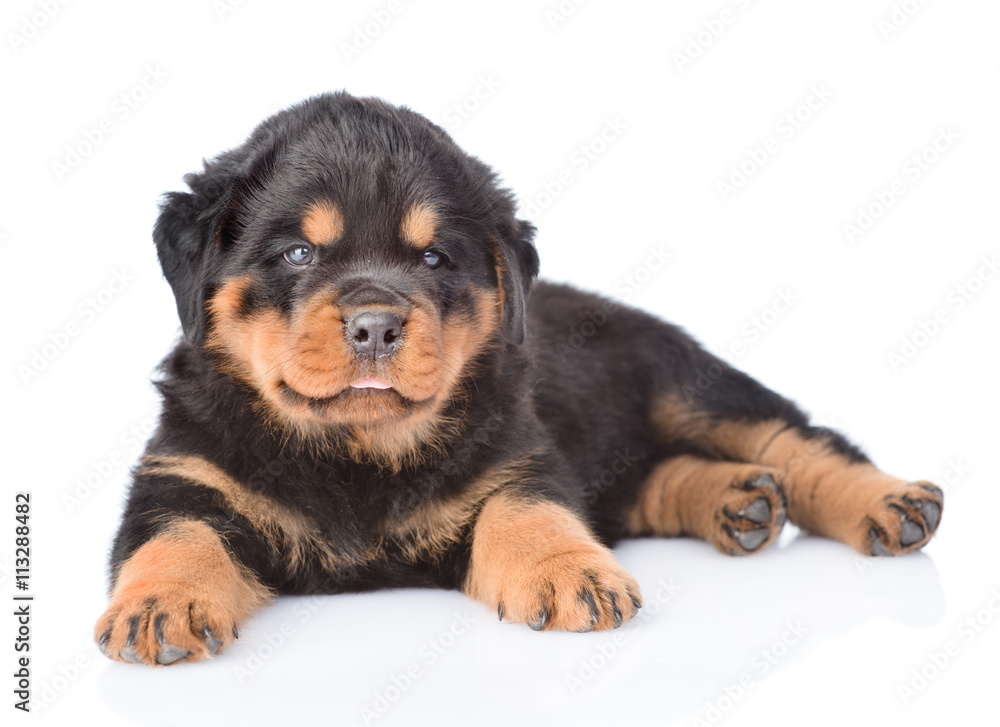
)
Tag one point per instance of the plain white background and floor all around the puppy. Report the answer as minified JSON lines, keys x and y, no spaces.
{"x":854,"y":629}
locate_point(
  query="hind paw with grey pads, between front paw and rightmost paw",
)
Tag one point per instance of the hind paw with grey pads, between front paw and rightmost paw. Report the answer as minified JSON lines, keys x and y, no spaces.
{"x":752,"y":514}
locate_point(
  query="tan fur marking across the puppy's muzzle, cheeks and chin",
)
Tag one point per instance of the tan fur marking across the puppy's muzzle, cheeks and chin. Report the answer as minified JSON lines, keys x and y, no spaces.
{"x":309,"y":354}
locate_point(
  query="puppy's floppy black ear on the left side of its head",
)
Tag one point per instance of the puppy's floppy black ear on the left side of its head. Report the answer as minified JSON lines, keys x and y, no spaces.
{"x":182,"y":243}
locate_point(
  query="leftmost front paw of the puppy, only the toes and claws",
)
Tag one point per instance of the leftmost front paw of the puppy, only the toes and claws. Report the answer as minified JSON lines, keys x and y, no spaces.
{"x":164,"y":628}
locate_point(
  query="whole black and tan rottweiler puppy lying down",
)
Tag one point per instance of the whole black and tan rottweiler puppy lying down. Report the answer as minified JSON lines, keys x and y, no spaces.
{"x":371,"y":392}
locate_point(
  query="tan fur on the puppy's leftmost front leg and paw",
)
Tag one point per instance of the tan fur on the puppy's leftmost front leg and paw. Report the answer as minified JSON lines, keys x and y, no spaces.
{"x":182,"y":580}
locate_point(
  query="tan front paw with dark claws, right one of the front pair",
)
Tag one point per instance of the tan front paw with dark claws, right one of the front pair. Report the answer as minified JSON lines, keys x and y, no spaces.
{"x":581,"y":590}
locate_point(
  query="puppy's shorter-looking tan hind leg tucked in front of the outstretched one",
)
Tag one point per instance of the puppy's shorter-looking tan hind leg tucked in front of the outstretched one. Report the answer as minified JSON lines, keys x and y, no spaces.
{"x":737,"y":507}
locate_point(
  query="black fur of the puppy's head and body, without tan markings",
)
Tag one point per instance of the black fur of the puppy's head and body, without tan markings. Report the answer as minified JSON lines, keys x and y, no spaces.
{"x":564,"y":405}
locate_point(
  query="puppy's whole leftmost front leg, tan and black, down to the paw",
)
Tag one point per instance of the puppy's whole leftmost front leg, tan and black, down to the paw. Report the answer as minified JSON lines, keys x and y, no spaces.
{"x":190,"y":561}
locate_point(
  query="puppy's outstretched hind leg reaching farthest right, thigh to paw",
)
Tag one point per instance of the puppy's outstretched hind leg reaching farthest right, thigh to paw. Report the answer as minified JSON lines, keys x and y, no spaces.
{"x":832,"y":488}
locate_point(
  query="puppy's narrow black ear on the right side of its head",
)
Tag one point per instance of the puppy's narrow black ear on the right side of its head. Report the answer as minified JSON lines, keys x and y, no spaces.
{"x":517,"y":268}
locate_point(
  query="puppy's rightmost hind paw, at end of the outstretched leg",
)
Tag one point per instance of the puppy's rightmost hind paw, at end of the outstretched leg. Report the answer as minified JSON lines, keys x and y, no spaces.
{"x":905,"y":520}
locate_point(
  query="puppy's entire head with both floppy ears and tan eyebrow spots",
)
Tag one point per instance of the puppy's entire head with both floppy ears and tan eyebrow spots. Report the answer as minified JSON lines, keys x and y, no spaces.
{"x":349,"y":262}
